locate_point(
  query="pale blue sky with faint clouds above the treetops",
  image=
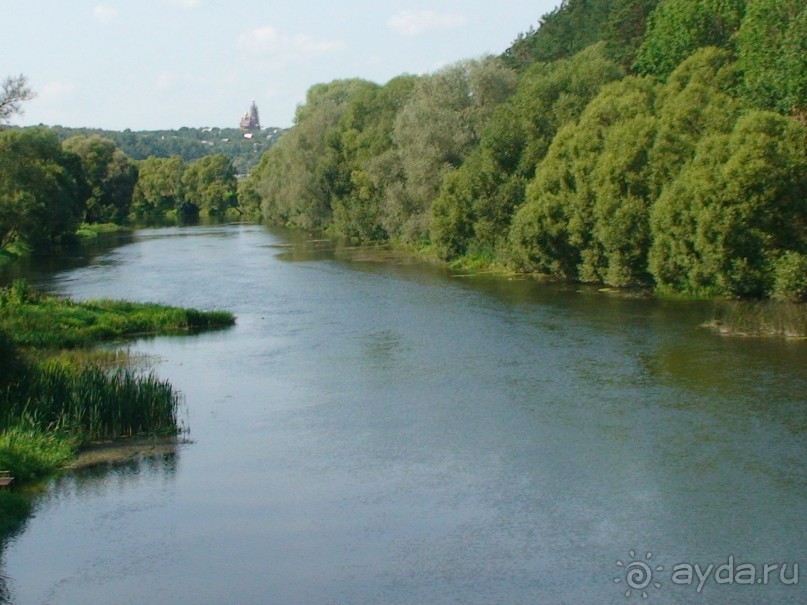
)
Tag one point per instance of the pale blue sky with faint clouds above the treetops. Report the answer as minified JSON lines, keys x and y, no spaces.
{"x":164,"y":64}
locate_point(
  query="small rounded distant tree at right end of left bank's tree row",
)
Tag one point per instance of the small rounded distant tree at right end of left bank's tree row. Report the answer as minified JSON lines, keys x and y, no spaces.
{"x":210,"y":185}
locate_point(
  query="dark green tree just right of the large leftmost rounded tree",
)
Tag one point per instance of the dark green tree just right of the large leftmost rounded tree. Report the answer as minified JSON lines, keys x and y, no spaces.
{"x":110,"y":175}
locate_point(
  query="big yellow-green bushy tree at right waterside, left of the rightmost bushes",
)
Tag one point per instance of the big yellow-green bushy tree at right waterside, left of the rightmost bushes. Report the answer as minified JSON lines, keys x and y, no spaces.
{"x":586,"y":214}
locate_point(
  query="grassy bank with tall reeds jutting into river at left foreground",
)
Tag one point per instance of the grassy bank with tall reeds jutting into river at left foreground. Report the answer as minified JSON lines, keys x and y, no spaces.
{"x":56,"y":396}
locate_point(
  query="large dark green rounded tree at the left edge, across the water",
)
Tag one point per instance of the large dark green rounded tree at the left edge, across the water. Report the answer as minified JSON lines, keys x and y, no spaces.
{"x":41,"y":189}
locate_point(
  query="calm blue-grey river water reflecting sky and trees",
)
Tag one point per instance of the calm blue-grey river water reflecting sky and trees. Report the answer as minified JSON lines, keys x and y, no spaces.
{"x":375,"y":430}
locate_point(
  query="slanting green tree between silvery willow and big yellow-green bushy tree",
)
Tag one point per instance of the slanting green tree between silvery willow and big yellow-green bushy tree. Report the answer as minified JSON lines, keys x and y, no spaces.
{"x":475,"y":205}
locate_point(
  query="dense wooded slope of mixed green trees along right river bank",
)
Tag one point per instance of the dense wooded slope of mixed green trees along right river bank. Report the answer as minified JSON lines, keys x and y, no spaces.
{"x":637,"y":143}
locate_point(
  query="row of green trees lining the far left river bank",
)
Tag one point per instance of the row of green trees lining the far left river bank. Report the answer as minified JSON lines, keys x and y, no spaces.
{"x":49,"y":187}
